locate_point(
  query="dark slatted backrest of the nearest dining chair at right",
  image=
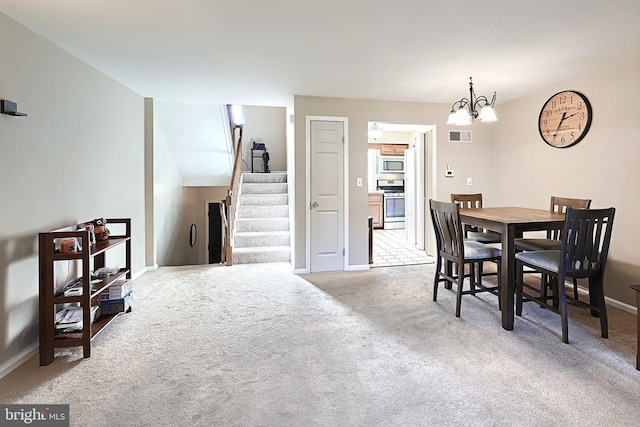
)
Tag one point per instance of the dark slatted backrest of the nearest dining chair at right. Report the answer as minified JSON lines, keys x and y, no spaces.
{"x":585,"y":246}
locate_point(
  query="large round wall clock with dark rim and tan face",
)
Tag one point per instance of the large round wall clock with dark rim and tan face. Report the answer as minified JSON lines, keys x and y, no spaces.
{"x":565,"y":119}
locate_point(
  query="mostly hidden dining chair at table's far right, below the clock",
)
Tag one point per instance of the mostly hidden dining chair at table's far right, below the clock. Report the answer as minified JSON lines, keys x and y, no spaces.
{"x":552,"y":241}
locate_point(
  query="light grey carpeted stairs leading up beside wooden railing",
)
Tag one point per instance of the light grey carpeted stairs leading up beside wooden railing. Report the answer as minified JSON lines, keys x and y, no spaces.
{"x":262,"y":226}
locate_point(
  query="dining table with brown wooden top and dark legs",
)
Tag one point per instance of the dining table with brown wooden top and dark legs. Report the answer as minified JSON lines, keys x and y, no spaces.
{"x":511,"y":222}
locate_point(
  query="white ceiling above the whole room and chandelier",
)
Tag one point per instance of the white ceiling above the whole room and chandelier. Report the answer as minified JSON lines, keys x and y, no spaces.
{"x":257,"y":52}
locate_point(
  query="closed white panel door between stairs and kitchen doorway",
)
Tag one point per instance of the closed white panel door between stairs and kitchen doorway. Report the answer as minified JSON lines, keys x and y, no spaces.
{"x":326,"y":195}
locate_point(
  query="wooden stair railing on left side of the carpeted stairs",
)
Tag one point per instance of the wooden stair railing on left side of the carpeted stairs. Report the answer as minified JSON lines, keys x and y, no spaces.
{"x":228,"y":207}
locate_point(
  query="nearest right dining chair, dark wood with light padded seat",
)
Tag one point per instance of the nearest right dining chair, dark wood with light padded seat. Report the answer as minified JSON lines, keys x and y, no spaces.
{"x":583,"y":254}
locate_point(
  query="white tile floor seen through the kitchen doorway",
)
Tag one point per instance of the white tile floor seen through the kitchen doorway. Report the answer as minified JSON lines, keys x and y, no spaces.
{"x":390,"y":248}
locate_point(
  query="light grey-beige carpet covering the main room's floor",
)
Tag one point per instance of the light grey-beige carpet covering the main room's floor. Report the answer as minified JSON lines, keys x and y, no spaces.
{"x":255,"y":345}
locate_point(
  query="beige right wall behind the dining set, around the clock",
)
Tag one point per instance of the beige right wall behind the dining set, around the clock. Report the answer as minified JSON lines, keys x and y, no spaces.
{"x":602,"y":167}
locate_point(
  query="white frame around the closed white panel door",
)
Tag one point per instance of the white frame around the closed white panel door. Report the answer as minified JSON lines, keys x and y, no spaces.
{"x":345,"y":122}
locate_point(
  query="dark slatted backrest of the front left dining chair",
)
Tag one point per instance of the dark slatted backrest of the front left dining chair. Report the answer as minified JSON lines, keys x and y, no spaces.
{"x":448,"y":228}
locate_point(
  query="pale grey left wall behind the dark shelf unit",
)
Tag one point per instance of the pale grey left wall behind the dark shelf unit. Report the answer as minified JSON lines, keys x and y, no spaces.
{"x":78,"y":155}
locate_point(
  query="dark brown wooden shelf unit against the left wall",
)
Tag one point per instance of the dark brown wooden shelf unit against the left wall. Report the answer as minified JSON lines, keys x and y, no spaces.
{"x":51,"y":296}
